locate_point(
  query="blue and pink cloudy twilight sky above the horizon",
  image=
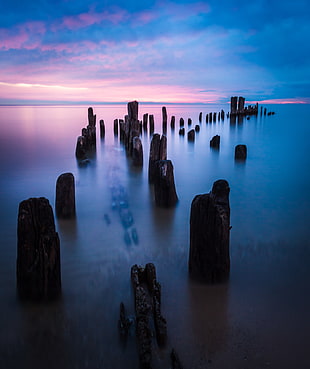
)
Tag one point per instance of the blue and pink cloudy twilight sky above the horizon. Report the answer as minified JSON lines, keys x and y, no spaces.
{"x":75,"y":51}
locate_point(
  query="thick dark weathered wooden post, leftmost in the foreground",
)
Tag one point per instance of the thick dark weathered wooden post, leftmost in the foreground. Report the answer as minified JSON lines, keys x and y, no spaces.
{"x":38,"y":251}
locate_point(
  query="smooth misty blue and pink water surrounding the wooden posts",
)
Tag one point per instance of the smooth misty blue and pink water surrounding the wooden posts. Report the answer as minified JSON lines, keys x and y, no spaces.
{"x":258,"y":319}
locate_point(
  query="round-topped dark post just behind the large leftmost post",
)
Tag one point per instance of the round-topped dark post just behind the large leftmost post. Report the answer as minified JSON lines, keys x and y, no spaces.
{"x":65,"y":196}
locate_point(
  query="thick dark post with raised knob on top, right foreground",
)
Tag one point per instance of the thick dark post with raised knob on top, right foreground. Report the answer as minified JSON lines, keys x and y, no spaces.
{"x":209,"y":259}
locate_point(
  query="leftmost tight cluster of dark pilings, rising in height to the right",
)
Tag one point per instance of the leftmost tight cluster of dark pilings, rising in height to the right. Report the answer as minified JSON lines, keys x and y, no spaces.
{"x":87,"y":141}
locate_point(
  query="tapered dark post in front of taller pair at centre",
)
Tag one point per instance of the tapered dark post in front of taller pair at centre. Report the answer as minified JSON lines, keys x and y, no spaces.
{"x":165,"y":193}
